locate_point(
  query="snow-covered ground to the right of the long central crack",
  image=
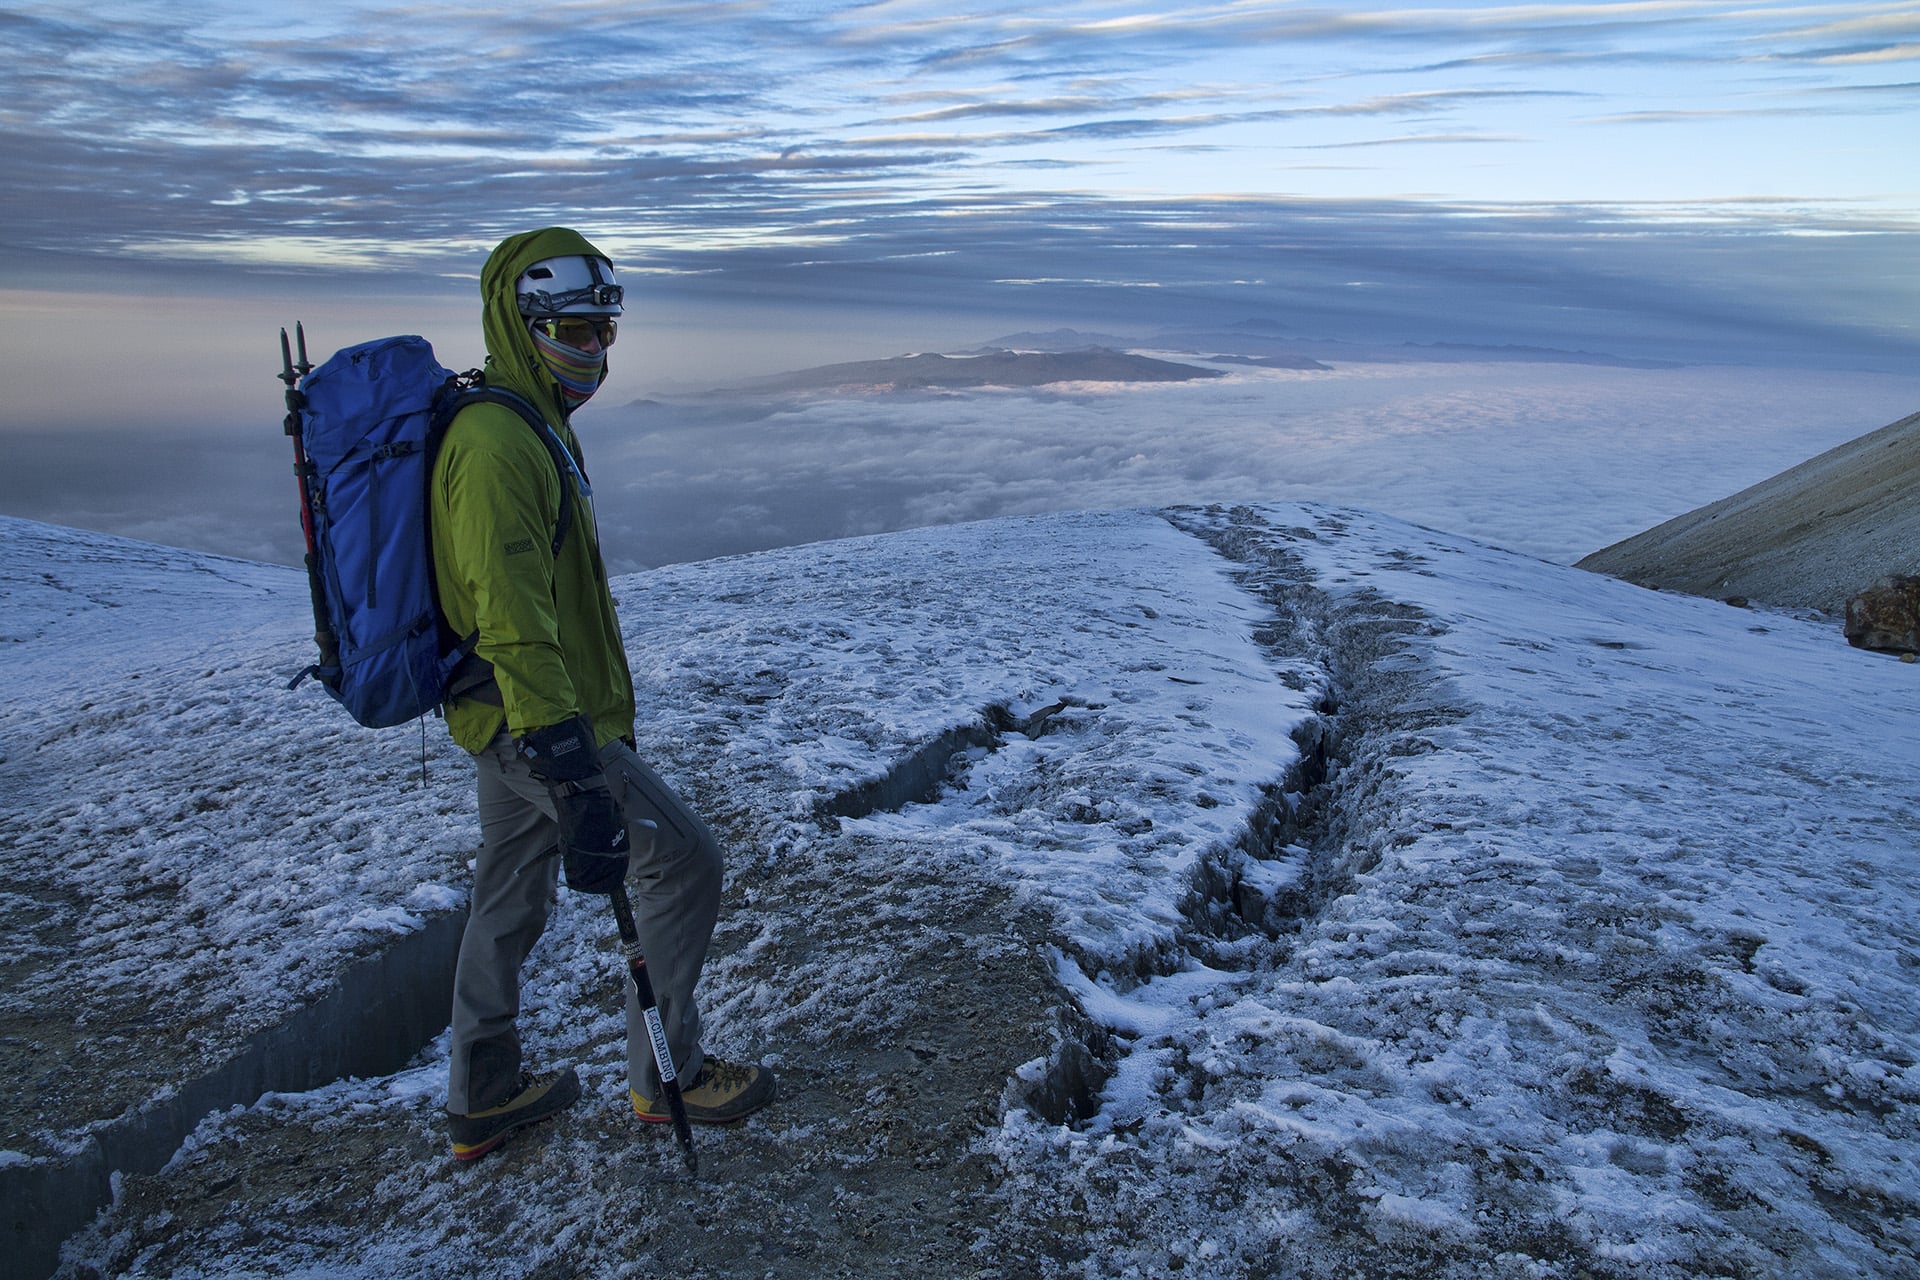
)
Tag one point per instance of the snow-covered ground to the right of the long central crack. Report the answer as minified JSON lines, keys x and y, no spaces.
{"x":1616,"y":959}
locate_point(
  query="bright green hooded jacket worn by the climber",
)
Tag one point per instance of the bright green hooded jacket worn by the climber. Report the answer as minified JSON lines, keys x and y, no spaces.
{"x":546,"y":623}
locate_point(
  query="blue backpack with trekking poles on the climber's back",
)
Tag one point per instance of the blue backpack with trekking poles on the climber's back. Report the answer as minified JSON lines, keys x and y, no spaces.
{"x":366,"y":431}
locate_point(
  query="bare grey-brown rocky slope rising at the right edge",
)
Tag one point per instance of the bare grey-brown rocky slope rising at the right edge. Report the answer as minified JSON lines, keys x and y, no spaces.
{"x":1806,"y":538}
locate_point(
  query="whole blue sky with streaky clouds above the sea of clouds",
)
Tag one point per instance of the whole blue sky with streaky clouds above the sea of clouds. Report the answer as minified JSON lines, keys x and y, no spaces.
{"x":786,"y":185}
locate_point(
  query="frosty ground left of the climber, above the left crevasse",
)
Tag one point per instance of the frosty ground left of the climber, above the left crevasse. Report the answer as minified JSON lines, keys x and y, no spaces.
{"x":189,"y":849}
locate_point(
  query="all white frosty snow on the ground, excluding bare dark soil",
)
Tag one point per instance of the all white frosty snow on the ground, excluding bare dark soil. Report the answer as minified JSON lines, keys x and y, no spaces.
{"x":1600,"y":945}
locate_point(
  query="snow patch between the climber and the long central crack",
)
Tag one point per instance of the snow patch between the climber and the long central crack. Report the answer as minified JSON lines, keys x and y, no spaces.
{"x":1161,"y":719}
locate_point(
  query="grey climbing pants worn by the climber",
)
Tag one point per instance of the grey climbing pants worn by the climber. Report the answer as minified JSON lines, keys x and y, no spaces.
{"x":673,"y":882}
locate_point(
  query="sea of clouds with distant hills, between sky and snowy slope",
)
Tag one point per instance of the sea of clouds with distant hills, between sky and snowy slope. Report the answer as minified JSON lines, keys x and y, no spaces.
{"x":1548,"y":460}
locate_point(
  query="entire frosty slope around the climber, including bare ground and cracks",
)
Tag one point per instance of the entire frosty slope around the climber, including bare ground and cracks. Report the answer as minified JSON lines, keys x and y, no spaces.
{"x":1276,"y":891}
